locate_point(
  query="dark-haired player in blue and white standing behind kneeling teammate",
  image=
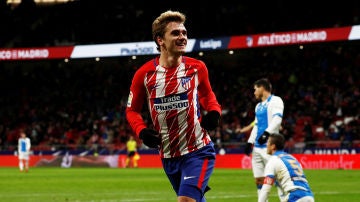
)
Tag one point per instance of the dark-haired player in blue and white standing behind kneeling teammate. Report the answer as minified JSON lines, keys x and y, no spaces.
{"x":268,"y":118}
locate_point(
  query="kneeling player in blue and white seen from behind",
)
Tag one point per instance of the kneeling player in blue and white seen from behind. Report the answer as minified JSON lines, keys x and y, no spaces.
{"x":287,"y":172}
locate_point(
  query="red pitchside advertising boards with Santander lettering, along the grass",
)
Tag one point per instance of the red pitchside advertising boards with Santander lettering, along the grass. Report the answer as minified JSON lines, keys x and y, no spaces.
{"x":241,"y":161}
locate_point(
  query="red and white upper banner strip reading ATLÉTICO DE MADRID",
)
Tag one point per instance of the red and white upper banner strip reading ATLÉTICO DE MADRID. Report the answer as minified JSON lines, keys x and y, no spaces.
{"x":149,"y":47}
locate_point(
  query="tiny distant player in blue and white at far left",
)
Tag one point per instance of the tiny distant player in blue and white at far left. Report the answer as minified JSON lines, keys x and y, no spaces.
{"x":24,"y":145}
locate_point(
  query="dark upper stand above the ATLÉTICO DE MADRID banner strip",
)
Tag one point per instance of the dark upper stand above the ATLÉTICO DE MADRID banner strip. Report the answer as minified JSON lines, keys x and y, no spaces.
{"x":95,"y":21}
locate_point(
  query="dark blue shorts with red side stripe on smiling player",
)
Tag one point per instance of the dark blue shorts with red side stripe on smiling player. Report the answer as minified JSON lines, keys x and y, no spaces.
{"x":190,"y":174}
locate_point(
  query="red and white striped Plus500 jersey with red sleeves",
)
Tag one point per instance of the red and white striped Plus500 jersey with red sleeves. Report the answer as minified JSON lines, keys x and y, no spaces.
{"x":175,"y":98}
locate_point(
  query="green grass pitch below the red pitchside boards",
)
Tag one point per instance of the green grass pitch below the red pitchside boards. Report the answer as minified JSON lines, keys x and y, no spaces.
{"x":141,"y":185}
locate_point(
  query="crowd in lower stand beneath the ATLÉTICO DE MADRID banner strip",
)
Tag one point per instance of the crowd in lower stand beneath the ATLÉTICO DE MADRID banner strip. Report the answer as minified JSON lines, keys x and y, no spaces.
{"x":82,"y":102}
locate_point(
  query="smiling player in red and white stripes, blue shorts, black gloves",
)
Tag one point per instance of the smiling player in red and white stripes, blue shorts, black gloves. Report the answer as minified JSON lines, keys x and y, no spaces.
{"x":177,"y":90}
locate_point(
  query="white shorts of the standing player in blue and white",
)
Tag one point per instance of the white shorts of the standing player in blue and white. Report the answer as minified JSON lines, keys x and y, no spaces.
{"x":259,"y":160}
